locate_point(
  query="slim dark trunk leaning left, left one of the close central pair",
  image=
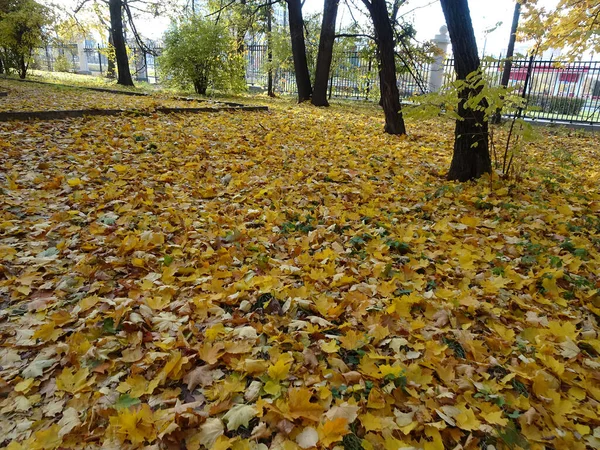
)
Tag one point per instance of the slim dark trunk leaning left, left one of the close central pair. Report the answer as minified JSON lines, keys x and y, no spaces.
{"x":299,"y":50}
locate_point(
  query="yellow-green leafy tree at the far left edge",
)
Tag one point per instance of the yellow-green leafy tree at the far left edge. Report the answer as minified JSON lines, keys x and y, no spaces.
{"x":23,"y":25}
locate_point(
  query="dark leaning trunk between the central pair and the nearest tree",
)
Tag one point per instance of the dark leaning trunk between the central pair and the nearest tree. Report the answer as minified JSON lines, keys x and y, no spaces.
{"x":384,"y":37}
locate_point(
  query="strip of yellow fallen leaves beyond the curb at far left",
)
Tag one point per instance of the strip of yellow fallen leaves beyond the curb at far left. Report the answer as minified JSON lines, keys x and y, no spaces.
{"x":25,"y":96}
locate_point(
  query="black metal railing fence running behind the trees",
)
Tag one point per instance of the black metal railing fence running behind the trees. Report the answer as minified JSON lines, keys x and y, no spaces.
{"x":557,"y":90}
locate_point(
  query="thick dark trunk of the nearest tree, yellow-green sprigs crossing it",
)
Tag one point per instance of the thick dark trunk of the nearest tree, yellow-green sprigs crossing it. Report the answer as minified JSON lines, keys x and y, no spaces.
{"x":471,"y":157}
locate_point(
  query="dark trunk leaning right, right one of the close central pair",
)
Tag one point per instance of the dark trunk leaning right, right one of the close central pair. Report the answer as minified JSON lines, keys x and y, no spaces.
{"x":325,"y":55}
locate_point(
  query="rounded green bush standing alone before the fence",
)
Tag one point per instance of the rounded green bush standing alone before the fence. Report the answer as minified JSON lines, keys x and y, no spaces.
{"x":201,"y":54}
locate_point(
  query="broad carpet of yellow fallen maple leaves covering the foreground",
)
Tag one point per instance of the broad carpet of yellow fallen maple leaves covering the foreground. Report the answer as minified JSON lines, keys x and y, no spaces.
{"x":293,"y":279}
